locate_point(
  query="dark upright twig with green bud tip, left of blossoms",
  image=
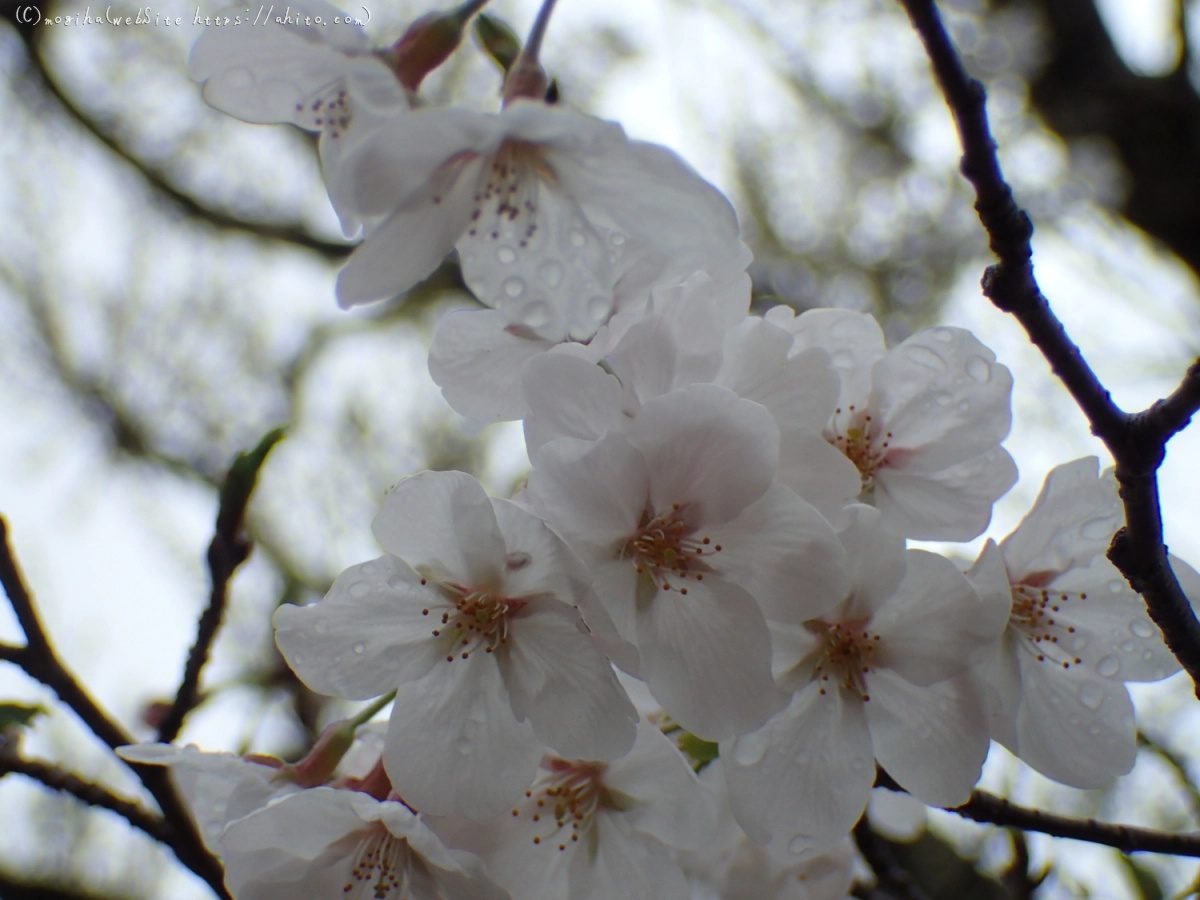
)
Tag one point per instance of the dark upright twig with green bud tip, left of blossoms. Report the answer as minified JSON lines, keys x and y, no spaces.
{"x":229,"y":550}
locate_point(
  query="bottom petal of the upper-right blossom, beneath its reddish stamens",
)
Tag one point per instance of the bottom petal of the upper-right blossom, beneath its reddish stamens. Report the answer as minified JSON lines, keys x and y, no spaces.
{"x":952,"y":505}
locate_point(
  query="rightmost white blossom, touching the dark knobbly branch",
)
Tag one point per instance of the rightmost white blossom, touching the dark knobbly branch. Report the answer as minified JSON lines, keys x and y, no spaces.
{"x":1076,"y":633}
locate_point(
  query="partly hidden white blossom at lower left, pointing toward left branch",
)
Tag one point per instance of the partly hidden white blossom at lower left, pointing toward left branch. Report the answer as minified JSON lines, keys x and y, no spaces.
{"x":218,"y":788}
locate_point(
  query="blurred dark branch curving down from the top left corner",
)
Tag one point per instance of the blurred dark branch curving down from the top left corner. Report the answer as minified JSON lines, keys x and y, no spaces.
{"x":159,"y":181}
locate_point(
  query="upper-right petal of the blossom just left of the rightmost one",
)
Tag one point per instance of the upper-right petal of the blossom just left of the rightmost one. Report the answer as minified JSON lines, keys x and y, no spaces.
{"x":935,"y":625}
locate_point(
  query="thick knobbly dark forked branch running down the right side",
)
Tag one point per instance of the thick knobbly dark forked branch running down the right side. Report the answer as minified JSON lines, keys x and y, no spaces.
{"x":1137,"y":441}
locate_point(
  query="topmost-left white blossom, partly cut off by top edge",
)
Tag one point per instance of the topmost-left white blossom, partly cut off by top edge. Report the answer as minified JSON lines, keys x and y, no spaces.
{"x":326,"y":79}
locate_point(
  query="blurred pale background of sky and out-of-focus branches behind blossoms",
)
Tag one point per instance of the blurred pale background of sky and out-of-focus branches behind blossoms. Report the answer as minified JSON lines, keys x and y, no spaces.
{"x":167,"y":297}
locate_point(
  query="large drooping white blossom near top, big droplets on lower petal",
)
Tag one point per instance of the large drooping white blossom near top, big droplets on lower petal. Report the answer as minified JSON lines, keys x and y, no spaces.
{"x":553,"y":213}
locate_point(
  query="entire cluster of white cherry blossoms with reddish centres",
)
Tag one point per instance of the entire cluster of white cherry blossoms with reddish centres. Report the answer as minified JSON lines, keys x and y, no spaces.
{"x":716,"y":521}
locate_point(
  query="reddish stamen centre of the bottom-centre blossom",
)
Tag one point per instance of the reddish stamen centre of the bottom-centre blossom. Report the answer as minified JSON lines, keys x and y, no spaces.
{"x":565,"y":800}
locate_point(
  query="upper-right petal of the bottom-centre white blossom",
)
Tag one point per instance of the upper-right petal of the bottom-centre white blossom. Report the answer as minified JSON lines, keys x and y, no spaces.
{"x":671,"y":803}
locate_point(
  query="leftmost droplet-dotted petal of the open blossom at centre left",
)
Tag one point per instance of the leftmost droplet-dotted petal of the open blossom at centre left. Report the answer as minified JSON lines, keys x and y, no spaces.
{"x":368,"y":635}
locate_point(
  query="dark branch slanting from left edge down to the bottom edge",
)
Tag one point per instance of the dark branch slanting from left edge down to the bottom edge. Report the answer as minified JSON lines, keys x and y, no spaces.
{"x":40,"y":662}
